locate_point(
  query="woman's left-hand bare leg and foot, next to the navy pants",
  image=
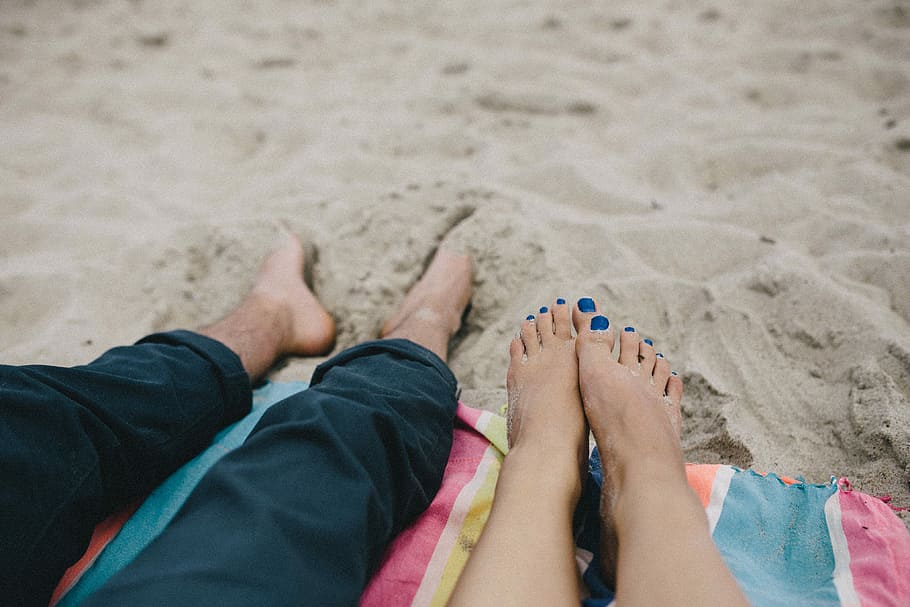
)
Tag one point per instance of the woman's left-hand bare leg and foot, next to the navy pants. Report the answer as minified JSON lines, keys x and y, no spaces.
{"x":526,"y":554}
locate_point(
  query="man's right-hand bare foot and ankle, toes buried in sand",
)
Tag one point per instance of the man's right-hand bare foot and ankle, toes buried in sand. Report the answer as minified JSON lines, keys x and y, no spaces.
{"x":431,"y":312}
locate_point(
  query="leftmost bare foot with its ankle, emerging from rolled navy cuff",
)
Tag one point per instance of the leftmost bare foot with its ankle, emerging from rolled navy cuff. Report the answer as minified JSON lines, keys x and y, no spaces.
{"x":279,"y":316}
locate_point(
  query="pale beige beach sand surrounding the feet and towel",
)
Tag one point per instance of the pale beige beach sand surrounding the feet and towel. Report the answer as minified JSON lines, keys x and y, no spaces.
{"x":733,"y":180}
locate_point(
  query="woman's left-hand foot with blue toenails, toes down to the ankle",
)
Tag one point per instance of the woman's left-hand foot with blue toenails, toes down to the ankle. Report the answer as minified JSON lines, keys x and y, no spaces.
{"x":545,"y":410}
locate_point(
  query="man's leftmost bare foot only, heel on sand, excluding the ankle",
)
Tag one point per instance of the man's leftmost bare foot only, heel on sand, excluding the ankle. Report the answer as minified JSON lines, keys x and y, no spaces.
{"x":310,"y":328}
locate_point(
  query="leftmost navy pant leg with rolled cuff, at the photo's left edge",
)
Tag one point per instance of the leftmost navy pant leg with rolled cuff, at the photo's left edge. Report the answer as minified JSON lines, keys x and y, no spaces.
{"x":77,"y":444}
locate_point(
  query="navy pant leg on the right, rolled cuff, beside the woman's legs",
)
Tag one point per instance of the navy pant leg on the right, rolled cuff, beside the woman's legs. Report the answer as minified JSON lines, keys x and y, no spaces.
{"x":302,"y":513}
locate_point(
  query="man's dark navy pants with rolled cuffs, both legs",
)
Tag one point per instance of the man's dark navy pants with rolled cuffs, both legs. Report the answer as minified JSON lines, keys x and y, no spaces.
{"x":300,"y":514}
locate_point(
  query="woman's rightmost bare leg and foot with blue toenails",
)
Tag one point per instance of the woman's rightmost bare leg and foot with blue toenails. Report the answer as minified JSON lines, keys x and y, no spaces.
{"x":655,"y":539}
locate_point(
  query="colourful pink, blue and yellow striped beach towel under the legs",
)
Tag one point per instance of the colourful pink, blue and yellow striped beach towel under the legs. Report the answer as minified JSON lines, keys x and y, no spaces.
{"x":786,"y":541}
